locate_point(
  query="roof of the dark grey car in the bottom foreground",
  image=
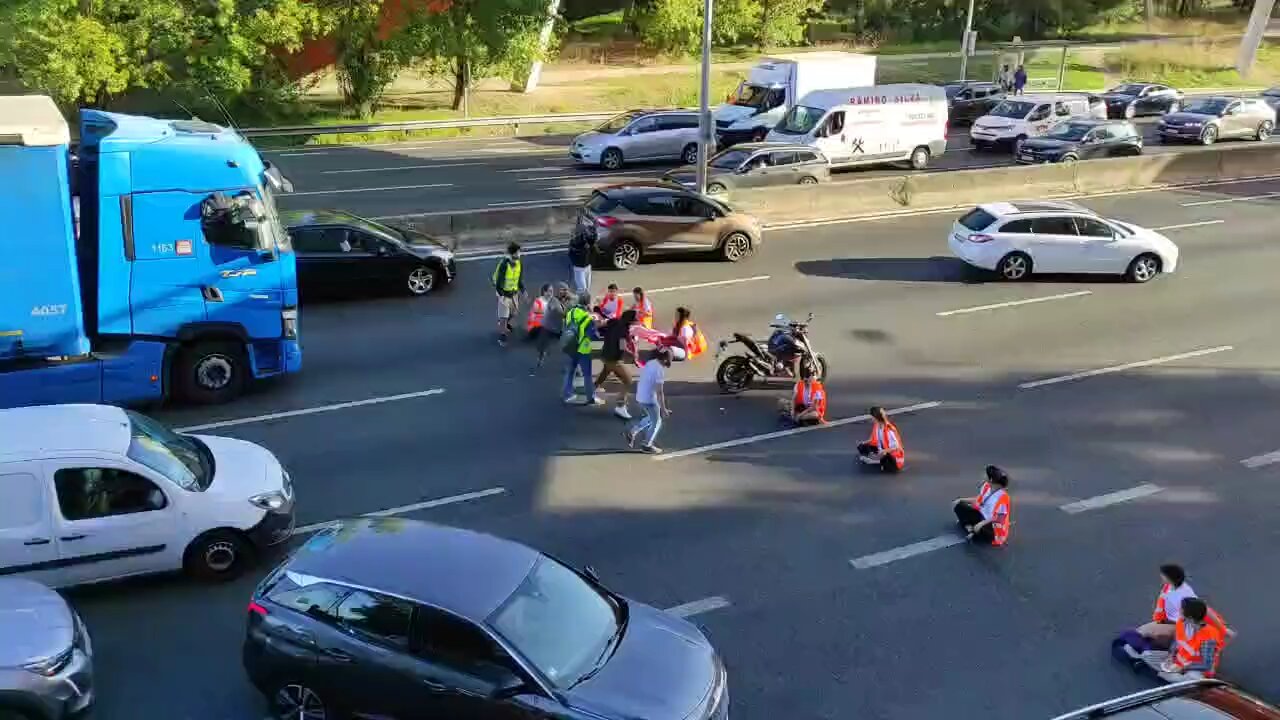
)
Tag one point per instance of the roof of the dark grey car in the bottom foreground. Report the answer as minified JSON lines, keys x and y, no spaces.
{"x":463,"y":572}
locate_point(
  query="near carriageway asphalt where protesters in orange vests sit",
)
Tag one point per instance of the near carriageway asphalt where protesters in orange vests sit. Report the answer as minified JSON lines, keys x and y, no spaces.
{"x":1128,"y":458}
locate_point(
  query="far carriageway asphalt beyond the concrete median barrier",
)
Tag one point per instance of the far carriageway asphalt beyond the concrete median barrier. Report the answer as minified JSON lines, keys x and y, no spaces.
{"x":493,"y":174}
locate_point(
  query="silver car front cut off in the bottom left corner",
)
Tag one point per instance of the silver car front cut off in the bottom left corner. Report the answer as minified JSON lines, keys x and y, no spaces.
{"x":47,"y":662}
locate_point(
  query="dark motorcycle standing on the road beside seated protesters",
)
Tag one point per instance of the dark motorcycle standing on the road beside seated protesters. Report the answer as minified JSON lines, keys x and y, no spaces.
{"x":764,"y":361}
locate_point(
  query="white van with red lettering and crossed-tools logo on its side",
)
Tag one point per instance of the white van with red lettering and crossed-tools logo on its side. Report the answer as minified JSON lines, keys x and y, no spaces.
{"x":866,"y":126}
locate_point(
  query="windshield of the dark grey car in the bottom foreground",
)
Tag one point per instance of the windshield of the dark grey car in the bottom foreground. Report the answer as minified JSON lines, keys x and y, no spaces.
{"x":563,"y":625}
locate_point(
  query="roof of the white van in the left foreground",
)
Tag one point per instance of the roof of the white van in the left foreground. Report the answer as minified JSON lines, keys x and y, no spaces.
{"x":48,"y":430}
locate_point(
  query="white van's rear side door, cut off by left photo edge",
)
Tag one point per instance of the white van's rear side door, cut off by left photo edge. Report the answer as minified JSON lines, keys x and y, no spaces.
{"x":28,"y":544}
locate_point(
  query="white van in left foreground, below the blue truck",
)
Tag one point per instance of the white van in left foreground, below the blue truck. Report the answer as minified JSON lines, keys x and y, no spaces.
{"x":93,"y":493}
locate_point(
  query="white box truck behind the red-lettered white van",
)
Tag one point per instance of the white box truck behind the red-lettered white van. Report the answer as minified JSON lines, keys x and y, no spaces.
{"x":775,"y":85}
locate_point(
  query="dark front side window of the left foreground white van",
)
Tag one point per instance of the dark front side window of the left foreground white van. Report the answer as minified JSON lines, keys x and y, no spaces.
{"x":85,"y":494}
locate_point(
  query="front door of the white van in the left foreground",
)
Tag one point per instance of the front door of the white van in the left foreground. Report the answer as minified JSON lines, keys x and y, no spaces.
{"x":111,"y":522}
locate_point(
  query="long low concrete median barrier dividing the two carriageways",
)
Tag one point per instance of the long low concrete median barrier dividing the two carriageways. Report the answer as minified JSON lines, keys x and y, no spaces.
{"x":888,"y":195}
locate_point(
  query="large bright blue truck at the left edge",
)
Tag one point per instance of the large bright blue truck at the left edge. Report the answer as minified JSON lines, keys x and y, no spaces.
{"x":149,"y":265}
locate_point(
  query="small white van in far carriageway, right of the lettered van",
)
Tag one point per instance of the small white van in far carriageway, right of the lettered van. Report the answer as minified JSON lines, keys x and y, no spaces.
{"x":1032,"y":116}
